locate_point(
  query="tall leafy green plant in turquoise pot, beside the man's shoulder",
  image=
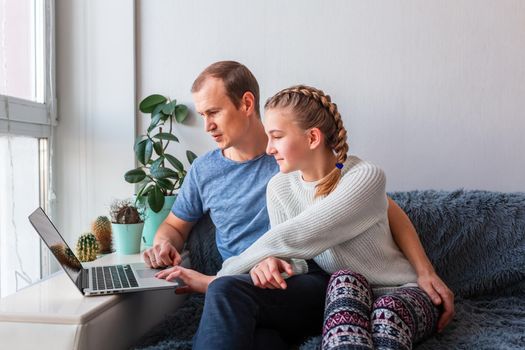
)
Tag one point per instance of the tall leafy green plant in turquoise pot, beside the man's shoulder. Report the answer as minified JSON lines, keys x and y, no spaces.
{"x":159,"y":173}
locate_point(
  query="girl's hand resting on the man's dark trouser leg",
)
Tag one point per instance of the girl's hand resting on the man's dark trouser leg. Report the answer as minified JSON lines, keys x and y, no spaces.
{"x":267,"y":273}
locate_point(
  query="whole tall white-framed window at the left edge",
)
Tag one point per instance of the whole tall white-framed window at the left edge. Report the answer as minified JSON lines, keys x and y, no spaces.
{"x":27,"y":118}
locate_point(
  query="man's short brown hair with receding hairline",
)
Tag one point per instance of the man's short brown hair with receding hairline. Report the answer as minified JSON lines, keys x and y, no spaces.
{"x":237,"y":80}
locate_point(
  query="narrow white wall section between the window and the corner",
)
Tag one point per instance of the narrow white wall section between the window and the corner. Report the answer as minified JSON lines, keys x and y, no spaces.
{"x":96,"y":109}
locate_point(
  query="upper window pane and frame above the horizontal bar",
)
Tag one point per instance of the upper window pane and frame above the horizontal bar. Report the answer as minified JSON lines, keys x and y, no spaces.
{"x":27,"y":96}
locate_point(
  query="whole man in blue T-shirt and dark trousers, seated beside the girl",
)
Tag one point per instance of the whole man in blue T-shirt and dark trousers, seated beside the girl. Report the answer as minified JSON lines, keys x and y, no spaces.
{"x":230,"y":184}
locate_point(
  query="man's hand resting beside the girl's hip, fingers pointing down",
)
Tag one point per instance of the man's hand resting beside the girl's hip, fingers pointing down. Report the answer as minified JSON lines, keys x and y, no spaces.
{"x":440,"y":294}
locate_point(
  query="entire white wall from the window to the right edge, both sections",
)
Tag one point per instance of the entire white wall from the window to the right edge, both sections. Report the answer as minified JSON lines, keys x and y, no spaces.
{"x":433,"y":91}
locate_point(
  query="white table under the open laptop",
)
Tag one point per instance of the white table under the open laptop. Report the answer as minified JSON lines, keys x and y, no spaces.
{"x":53,"y":314}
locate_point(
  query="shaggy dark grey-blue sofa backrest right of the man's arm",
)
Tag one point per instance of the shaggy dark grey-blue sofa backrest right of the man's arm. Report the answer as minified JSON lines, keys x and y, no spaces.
{"x":475,"y":239}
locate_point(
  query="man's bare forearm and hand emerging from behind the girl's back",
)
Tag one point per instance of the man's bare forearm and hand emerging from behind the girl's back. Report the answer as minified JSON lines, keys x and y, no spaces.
{"x":407,"y":239}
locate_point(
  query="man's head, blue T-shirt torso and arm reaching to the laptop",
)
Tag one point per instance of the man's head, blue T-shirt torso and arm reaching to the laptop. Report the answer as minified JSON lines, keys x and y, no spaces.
{"x":229,"y":182}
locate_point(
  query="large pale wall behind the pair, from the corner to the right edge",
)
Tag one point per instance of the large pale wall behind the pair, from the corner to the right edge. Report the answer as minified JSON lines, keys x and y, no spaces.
{"x":432,"y":91}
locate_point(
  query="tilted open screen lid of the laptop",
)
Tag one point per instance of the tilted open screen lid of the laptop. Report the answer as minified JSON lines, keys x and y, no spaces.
{"x":54,"y":241}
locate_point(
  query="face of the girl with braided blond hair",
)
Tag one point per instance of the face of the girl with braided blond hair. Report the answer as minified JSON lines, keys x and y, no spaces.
{"x":287,"y":142}
